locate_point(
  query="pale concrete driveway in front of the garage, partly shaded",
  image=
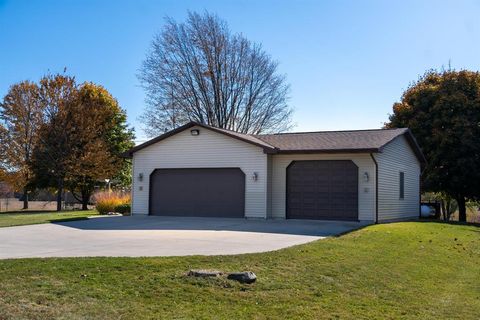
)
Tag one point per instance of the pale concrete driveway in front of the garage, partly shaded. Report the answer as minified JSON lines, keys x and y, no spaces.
{"x":161,"y":236}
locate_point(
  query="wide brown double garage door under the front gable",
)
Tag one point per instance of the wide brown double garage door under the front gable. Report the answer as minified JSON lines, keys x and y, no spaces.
{"x":202,"y":192}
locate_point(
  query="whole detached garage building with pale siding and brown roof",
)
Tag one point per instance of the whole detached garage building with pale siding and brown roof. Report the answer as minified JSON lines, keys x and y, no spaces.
{"x":200,"y":170}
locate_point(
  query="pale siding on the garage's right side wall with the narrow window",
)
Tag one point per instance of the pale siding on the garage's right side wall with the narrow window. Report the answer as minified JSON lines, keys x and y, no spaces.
{"x":397,"y":156}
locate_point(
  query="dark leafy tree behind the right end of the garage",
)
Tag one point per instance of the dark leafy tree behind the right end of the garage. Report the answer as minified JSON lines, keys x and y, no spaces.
{"x":443,"y":111}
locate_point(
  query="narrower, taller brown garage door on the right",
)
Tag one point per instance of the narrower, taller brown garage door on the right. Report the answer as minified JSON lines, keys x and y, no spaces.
{"x":322,"y":190}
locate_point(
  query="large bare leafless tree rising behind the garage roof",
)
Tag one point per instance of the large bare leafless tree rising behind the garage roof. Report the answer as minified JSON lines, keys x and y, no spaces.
{"x":200,"y":71}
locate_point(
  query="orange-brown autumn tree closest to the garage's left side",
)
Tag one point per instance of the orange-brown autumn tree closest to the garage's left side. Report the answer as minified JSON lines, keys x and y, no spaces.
{"x":99,"y":138}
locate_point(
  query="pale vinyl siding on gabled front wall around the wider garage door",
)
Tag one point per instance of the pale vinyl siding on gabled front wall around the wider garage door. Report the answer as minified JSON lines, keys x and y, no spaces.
{"x":207,"y":150}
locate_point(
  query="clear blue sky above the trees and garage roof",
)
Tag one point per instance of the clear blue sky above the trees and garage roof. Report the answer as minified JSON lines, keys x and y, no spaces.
{"x":346,"y":61}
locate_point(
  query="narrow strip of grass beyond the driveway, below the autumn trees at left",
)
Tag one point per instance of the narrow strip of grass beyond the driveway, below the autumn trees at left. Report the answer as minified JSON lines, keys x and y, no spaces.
{"x":19,"y":218}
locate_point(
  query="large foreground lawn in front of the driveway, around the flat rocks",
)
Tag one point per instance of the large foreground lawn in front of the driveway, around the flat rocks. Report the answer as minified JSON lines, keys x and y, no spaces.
{"x":422,"y":270}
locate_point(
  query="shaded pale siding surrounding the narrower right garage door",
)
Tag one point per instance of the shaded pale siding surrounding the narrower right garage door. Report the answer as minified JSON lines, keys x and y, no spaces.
{"x":366,"y":190}
